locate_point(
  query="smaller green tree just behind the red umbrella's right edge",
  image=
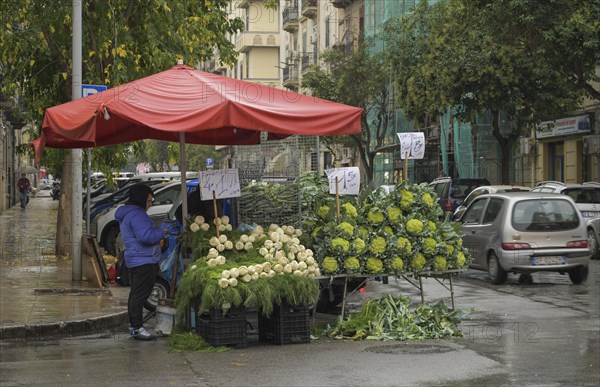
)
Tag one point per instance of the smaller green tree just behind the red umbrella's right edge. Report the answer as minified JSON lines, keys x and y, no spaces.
{"x":358,"y":79}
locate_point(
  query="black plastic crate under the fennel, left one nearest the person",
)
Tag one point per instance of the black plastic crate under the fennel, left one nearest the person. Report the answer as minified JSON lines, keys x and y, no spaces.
{"x":223,"y":328}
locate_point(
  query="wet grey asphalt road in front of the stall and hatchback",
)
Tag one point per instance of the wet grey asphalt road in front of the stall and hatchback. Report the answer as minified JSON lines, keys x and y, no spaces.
{"x":543,"y":334}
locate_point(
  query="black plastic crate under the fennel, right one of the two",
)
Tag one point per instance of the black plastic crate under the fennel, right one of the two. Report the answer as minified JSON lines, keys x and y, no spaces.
{"x":287,"y":325}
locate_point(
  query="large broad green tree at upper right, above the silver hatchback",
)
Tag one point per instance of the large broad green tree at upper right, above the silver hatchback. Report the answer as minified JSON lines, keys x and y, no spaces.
{"x":526,"y":58}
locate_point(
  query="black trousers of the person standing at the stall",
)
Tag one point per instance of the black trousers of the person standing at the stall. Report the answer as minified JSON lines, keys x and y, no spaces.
{"x":142,"y":282}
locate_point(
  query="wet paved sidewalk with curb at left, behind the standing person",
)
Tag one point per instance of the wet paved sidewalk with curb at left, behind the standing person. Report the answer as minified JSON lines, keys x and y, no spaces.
{"x":37,"y":293}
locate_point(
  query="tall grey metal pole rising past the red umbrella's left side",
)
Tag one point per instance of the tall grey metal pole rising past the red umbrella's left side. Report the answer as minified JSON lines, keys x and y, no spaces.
{"x":76,"y":201}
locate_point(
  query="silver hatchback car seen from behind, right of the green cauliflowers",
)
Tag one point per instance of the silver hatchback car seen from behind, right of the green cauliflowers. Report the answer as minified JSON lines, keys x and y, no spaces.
{"x":525,"y":232}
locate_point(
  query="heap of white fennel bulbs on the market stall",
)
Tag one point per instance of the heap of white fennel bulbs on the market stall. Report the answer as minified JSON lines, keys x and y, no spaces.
{"x":279,"y":248}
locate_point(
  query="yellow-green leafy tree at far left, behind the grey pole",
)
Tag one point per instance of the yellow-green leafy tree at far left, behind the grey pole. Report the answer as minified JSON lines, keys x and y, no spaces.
{"x":122,"y":41}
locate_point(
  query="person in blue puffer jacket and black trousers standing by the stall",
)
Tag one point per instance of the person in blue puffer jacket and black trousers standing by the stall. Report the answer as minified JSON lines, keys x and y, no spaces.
{"x":141,"y":240}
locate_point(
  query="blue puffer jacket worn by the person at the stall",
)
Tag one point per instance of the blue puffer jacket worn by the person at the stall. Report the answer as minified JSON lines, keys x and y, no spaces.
{"x":141,"y":238}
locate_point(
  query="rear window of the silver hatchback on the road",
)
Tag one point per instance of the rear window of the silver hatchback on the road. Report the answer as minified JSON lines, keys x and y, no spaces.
{"x":544,"y":215}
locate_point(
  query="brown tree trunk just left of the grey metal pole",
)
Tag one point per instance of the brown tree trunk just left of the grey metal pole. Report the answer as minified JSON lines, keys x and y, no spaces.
{"x":63,"y":221}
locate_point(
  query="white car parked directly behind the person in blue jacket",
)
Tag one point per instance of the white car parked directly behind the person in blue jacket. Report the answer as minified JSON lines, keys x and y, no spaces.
{"x":108,"y":227}
